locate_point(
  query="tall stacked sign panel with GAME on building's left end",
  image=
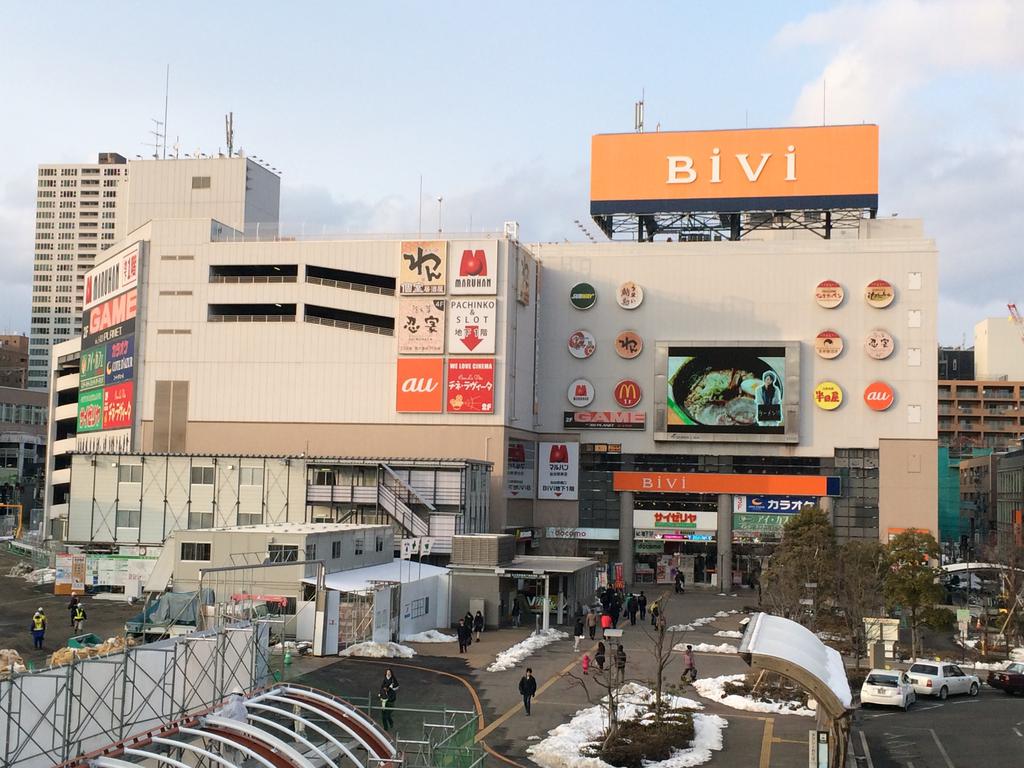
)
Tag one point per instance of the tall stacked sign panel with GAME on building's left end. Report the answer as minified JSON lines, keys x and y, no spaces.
{"x":107,"y":389}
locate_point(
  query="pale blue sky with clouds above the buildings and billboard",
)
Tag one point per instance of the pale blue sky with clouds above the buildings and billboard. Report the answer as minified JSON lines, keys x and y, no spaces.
{"x":494,"y":106}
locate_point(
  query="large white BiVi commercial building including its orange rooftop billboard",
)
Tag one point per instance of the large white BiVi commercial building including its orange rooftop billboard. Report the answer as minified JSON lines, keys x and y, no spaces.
{"x":664,"y":400}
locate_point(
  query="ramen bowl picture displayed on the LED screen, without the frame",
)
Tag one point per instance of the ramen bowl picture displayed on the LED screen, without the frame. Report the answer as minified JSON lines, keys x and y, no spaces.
{"x":727,"y":390}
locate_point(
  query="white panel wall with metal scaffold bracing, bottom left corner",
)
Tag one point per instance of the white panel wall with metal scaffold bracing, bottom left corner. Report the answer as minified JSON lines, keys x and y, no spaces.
{"x":51,"y":716}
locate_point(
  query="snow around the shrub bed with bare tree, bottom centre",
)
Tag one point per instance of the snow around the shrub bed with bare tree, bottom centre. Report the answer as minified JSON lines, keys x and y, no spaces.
{"x":563,"y":747}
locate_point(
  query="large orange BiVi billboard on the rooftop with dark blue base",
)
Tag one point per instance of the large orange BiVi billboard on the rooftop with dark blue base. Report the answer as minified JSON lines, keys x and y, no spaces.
{"x":736,"y":170}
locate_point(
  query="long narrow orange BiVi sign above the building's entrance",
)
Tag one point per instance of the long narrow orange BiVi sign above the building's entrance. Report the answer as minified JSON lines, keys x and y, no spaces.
{"x":707,"y":483}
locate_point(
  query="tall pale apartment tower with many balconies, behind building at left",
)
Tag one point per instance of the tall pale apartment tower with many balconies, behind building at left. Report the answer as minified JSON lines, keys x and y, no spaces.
{"x":78,"y":207}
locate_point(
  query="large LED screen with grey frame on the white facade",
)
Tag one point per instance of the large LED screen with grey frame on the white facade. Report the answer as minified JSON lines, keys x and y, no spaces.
{"x":728,"y":392}
